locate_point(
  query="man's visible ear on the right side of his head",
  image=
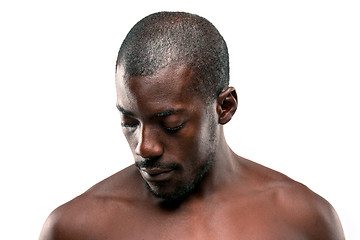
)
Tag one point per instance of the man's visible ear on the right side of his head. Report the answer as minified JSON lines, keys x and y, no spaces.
{"x":226,"y":105}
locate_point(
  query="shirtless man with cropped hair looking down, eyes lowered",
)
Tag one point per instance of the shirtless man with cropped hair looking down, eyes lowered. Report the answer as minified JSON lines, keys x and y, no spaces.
{"x":172,"y":76}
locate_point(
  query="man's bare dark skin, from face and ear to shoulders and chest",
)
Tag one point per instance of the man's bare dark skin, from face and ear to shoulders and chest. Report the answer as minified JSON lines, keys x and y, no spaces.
{"x":168,"y":124}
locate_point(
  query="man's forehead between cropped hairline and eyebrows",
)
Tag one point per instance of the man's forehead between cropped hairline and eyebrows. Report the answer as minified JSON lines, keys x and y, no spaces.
{"x":171,"y":87}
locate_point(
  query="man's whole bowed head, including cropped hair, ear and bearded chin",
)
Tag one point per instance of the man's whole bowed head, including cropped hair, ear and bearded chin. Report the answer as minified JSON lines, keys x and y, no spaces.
{"x":173,"y":95}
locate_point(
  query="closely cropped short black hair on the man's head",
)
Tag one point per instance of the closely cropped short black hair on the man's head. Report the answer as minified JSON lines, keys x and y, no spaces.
{"x":165,"y":38}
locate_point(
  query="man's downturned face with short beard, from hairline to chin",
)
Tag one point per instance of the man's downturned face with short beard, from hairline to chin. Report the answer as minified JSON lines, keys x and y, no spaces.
{"x":171,"y":132}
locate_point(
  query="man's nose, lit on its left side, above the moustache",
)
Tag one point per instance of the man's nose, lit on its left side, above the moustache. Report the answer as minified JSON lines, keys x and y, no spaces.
{"x":148,"y":145}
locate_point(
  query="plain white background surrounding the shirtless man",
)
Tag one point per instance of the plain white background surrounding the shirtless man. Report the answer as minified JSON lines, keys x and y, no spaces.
{"x":295,"y":65}
